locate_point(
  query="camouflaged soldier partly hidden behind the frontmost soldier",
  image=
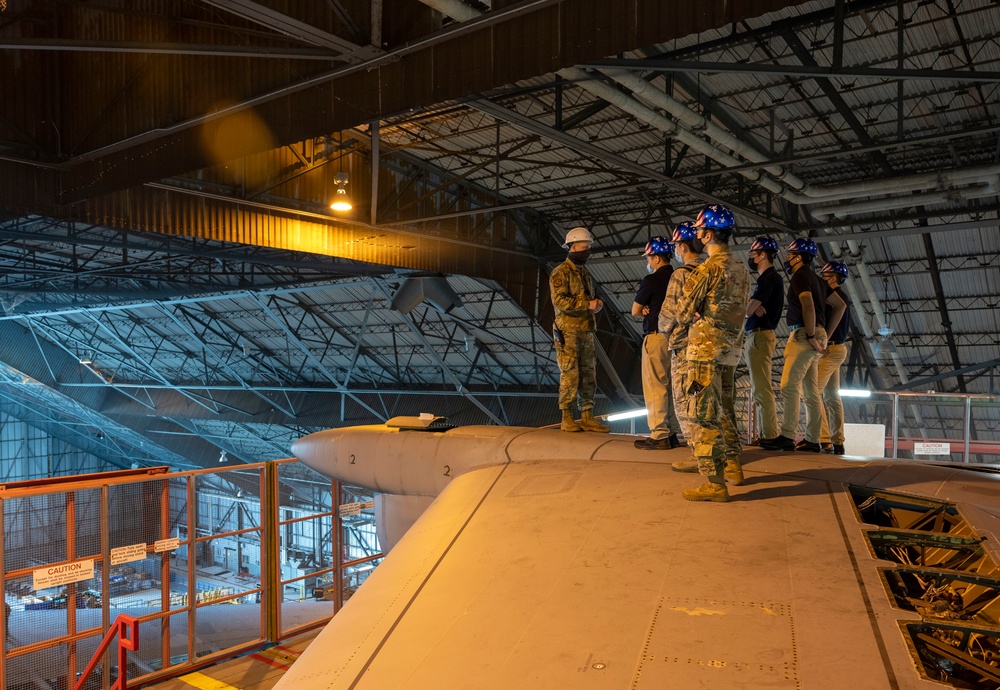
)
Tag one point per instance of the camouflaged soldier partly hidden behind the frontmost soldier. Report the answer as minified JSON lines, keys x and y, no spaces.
{"x":676,"y":335}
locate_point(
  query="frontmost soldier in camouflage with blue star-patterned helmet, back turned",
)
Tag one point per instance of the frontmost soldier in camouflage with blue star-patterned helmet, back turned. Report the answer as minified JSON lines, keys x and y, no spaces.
{"x":714,"y":299}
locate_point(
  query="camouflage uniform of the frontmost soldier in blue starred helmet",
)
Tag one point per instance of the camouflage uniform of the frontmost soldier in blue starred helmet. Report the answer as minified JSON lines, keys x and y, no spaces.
{"x":718,"y":291}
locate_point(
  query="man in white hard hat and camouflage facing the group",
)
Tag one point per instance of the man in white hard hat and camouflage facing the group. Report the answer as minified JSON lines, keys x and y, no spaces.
{"x":576,"y":303}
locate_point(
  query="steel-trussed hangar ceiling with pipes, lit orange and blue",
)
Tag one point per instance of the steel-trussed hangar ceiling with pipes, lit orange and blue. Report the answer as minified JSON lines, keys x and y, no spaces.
{"x":170,"y":261}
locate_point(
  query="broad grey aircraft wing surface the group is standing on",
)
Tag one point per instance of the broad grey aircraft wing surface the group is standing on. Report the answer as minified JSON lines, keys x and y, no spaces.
{"x":554,"y":572}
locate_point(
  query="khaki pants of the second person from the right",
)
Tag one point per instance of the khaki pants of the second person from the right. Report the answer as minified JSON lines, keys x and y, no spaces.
{"x":799,"y":378}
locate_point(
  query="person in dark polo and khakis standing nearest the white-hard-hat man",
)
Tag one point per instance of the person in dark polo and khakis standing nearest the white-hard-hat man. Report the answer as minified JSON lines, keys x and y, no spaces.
{"x":656,"y":390}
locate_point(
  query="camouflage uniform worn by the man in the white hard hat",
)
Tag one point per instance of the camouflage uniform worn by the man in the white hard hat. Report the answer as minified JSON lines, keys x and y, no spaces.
{"x":572,"y":289}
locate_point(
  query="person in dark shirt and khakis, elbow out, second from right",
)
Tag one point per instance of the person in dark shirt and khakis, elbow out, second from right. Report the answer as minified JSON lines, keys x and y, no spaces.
{"x":806,"y":316}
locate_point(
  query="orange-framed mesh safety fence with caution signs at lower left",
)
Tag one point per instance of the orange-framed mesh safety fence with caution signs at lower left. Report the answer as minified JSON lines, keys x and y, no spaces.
{"x":210,"y":562}
